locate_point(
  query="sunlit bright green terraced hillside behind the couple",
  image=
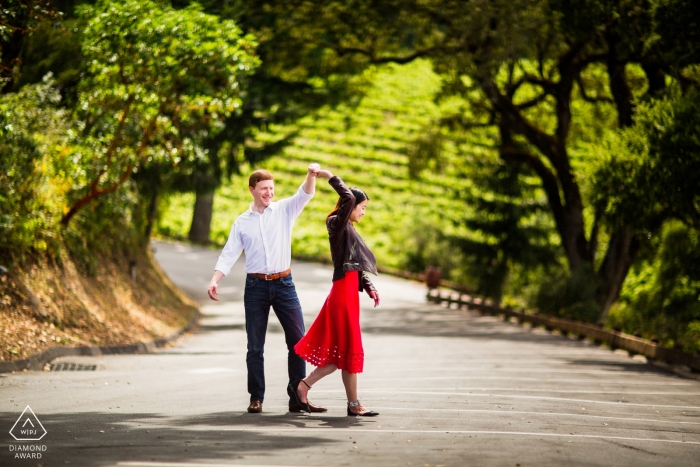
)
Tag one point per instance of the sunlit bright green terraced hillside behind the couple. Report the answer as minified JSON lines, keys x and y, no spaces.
{"x":371,"y":145}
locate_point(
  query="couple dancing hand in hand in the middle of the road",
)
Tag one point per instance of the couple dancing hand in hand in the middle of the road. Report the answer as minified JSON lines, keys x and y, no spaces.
{"x":333,"y":342}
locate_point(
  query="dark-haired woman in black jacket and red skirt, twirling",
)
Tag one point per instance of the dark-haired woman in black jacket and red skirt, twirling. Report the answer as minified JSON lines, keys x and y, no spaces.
{"x":334,"y":340}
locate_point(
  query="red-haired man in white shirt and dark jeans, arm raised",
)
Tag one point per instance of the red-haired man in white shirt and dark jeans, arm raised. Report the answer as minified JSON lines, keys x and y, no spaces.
{"x":264,"y":231}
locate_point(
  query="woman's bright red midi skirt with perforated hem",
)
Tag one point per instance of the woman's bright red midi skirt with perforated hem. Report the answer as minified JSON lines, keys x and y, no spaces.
{"x":334,"y":337}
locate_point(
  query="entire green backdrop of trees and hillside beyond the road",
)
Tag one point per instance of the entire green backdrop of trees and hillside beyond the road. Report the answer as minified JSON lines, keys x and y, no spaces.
{"x":541,"y":154}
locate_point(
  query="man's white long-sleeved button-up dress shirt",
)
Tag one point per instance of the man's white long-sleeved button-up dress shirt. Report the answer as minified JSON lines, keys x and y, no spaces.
{"x":266,"y":238}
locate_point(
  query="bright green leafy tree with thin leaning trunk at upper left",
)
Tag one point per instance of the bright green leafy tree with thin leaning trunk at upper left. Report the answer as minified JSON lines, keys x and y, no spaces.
{"x":158,"y":81}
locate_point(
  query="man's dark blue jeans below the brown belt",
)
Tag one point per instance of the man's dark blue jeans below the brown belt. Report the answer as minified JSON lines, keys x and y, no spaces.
{"x":282,"y":296}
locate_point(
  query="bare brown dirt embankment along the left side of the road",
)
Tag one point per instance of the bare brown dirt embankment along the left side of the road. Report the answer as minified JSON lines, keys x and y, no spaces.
{"x":47,"y":305}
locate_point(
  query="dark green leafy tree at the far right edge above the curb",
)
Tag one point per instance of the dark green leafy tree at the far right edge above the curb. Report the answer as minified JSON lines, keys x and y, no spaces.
{"x":649,"y":178}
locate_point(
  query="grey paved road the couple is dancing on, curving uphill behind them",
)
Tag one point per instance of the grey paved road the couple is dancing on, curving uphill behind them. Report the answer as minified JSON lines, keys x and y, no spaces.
{"x":453,"y":389}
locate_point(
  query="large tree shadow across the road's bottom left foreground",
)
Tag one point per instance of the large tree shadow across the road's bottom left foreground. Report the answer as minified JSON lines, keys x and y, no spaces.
{"x":97,"y":439}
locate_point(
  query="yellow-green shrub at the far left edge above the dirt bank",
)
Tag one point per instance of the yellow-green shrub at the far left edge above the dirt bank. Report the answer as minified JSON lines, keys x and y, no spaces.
{"x":32,"y":183}
